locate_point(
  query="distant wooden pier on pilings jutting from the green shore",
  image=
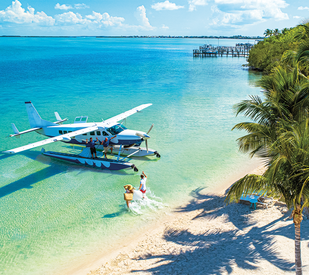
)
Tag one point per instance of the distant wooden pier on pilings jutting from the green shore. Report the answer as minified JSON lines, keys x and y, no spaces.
{"x":240,"y":50}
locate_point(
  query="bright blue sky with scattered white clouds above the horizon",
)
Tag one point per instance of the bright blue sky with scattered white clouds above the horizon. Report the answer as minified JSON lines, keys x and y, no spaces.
{"x":149,"y":17}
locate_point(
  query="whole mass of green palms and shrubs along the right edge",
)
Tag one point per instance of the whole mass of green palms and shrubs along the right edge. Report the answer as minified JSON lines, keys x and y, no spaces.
{"x":279,"y":128}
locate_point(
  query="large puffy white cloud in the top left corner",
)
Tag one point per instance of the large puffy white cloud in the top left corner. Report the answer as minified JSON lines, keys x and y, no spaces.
{"x":16,"y":14}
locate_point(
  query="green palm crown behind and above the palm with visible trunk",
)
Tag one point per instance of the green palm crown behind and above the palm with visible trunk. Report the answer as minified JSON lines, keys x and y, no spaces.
{"x":285,"y":98}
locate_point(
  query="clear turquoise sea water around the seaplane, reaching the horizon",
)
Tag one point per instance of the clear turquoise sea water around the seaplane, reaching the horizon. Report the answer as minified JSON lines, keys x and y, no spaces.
{"x":53,"y":213}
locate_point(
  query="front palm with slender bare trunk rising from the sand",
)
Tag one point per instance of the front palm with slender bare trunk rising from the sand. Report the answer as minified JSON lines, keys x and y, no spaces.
{"x":287,"y":174}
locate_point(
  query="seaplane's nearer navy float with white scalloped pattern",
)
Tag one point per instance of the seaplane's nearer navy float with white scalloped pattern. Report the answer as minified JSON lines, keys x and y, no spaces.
{"x":84,"y":158}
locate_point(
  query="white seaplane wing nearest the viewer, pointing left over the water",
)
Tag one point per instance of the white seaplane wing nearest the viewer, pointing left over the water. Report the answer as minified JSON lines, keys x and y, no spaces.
{"x":65,"y":137}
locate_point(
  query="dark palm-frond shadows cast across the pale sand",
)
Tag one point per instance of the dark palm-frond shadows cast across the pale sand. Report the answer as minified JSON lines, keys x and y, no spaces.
{"x":217,"y":251}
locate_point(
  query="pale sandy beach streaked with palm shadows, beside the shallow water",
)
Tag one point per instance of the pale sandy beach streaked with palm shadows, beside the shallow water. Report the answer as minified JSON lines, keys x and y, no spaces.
{"x":205,"y":233}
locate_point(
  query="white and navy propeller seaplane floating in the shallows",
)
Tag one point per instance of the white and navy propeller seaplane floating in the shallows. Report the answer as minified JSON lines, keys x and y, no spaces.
{"x":124,"y":140}
